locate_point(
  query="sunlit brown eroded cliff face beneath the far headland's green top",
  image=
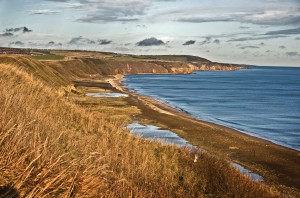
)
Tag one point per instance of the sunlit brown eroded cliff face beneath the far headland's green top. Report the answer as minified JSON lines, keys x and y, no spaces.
{"x":88,"y":67}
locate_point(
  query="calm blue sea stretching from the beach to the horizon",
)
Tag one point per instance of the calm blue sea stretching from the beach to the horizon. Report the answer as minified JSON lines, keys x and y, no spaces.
{"x":263,"y":101}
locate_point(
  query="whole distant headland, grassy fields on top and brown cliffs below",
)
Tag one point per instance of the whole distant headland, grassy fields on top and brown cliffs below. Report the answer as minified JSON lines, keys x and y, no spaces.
{"x":96,"y":64}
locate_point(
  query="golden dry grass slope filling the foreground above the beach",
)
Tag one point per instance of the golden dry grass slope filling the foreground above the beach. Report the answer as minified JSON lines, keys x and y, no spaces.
{"x":51,"y":147}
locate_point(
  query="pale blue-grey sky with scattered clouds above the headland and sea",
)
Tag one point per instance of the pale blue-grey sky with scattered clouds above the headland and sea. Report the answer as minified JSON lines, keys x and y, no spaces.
{"x":259,"y":32}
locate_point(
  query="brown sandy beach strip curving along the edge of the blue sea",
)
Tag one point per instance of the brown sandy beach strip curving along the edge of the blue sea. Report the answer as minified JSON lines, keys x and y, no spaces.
{"x":276,"y":163}
